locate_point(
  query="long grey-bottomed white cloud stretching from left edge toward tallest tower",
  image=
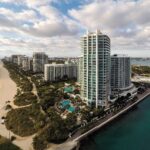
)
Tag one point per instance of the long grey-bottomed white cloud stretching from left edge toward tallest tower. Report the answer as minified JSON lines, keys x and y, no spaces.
{"x":47,"y":22}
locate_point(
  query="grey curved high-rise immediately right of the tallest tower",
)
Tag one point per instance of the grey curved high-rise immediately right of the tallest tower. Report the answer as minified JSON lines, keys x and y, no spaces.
{"x":120,"y":72}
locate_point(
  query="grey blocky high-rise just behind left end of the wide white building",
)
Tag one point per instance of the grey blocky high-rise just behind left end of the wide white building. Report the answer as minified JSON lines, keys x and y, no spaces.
{"x":39,"y":60}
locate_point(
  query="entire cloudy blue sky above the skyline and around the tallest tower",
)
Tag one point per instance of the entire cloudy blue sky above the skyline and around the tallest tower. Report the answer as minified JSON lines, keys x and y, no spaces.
{"x":55,"y":26}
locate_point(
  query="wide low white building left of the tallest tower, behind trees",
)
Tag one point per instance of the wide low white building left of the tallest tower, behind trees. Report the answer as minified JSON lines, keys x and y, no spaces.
{"x":56,"y":72}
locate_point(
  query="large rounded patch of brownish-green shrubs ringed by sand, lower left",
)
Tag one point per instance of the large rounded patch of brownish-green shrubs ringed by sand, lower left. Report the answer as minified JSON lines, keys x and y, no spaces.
{"x":25,"y":121}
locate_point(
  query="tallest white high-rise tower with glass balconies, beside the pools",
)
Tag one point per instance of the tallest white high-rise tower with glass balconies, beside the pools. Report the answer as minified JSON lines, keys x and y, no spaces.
{"x":96,"y":68}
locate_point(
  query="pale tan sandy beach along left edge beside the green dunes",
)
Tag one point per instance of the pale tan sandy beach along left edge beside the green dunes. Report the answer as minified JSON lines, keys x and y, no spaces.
{"x":8,"y":90}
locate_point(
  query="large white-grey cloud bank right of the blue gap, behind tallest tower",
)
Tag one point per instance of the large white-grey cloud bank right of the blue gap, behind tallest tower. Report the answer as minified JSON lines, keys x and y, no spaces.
{"x":126,"y":22}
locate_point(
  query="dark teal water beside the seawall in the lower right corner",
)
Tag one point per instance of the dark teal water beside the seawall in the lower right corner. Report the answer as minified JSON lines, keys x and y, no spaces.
{"x":130,"y":132}
